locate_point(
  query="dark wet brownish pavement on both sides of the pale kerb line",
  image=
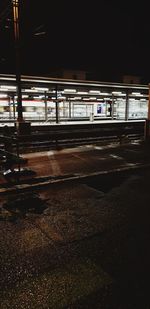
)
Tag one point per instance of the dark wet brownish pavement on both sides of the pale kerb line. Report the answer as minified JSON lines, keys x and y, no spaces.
{"x":79,"y":245}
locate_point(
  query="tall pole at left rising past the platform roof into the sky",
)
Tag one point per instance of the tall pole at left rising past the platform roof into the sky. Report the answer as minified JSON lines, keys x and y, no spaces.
{"x":17,"y":47}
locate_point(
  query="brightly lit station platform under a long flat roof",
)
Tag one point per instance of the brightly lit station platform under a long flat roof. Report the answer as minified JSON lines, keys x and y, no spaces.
{"x":58,"y":100}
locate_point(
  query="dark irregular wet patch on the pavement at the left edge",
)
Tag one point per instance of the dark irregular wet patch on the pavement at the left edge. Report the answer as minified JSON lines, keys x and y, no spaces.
{"x":21,"y":206}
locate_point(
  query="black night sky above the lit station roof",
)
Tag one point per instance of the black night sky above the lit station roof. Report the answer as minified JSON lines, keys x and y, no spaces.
{"x":107,"y":38}
